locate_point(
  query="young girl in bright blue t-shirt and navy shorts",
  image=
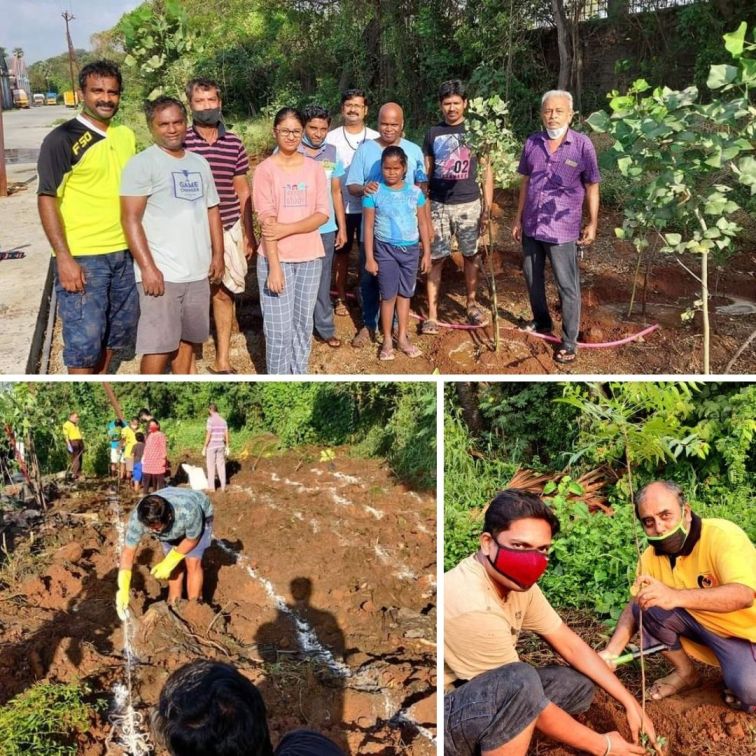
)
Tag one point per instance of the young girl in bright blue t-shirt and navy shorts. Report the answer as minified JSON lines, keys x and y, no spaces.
{"x":393,"y":232}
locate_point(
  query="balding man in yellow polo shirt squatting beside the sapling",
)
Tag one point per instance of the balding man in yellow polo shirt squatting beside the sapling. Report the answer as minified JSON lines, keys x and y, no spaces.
{"x":696,"y":589}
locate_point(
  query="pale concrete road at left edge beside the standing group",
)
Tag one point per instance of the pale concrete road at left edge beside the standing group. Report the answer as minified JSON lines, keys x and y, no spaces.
{"x":23,"y":280}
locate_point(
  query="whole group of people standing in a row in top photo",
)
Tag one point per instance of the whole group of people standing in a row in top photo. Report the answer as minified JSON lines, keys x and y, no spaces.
{"x":145,"y":243}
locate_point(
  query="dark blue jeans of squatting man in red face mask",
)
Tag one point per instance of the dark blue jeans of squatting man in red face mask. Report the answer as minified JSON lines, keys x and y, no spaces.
{"x":495,"y":707}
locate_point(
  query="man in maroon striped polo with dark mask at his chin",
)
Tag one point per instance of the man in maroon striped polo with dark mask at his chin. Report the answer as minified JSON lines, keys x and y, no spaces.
{"x":229,"y":164}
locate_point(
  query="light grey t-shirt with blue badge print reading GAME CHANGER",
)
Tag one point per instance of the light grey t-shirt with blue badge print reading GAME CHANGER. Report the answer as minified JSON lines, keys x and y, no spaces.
{"x":175,"y":221}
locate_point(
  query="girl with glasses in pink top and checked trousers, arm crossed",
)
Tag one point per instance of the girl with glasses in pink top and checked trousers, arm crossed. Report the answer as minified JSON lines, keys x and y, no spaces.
{"x":290,"y":196}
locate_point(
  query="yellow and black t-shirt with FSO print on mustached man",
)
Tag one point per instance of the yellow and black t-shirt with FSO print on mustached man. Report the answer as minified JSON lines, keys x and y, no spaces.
{"x":81,"y":166}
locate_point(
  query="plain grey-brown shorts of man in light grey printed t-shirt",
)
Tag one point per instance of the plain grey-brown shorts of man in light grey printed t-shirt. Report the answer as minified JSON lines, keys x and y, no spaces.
{"x":182,"y":313}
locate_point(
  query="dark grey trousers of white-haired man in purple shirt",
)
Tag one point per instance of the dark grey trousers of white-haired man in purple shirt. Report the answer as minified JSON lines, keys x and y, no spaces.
{"x":564,"y":264}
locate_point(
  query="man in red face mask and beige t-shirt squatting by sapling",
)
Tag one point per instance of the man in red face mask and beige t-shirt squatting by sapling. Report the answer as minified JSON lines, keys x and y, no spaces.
{"x":494,"y":701}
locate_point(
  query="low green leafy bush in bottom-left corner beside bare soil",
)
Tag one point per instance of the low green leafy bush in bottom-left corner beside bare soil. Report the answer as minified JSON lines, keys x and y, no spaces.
{"x":45,"y":719}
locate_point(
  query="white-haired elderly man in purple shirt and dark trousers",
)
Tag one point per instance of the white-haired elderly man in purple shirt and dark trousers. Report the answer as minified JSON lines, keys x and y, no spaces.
{"x":559,"y":171}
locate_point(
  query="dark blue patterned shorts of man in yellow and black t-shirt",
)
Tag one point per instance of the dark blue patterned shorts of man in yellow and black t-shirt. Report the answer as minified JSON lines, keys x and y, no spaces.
{"x":104,"y":315}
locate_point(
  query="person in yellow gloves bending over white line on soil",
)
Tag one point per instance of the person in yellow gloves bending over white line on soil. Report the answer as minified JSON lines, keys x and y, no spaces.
{"x":182,"y":520}
